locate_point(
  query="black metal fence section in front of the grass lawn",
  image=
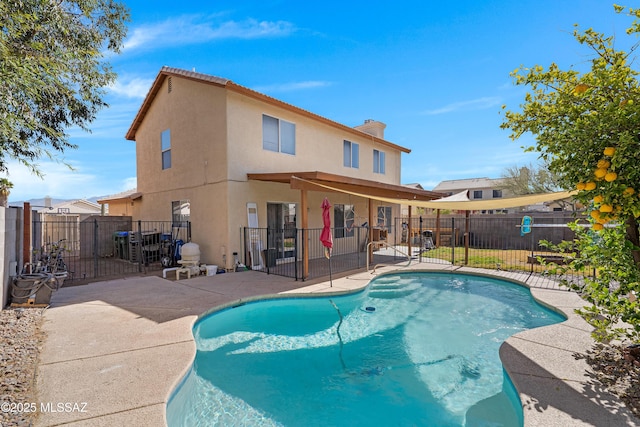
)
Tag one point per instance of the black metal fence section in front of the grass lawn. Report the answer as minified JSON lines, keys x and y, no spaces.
{"x":504,"y":241}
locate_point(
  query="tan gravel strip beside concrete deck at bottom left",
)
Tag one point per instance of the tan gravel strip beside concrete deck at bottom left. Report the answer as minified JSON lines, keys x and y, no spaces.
{"x":19,"y":349}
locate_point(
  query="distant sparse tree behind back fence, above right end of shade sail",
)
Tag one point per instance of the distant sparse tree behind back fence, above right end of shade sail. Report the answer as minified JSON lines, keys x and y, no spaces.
{"x":530,"y":179}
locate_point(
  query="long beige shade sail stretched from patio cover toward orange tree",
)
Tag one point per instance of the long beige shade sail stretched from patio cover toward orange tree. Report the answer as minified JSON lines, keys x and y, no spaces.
{"x":463,"y":205}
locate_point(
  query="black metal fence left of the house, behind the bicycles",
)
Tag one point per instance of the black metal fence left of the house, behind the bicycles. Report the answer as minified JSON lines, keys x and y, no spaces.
{"x":102,"y":247}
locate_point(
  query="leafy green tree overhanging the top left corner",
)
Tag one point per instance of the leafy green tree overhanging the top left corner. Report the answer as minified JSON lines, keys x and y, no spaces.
{"x":53,"y":72}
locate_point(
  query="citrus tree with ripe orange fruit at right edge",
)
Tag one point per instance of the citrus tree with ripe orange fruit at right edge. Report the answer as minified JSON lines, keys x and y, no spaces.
{"x":586,"y":127}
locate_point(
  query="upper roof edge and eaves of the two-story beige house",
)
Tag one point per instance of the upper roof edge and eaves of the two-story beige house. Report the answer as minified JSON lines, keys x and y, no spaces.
{"x":228,"y":84}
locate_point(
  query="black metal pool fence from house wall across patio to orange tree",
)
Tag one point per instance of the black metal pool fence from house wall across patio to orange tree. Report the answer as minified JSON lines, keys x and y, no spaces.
{"x":494,"y":242}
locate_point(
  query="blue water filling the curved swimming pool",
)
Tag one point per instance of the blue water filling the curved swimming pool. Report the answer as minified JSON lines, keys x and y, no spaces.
{"x":413,"y":349}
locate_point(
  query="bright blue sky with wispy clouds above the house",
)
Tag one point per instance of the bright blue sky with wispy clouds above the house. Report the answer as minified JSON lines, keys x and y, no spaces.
{"x":436,"y":72}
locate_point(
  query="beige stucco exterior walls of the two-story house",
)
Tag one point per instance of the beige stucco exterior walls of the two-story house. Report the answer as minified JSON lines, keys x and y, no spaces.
{"x":216,"y":140}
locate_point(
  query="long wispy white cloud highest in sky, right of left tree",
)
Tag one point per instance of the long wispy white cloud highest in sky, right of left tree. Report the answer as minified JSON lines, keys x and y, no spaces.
{"x":195,"y":29}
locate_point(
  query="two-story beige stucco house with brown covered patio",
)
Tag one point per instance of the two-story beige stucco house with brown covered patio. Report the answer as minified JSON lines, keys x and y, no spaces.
{"x":224,"y":157}
